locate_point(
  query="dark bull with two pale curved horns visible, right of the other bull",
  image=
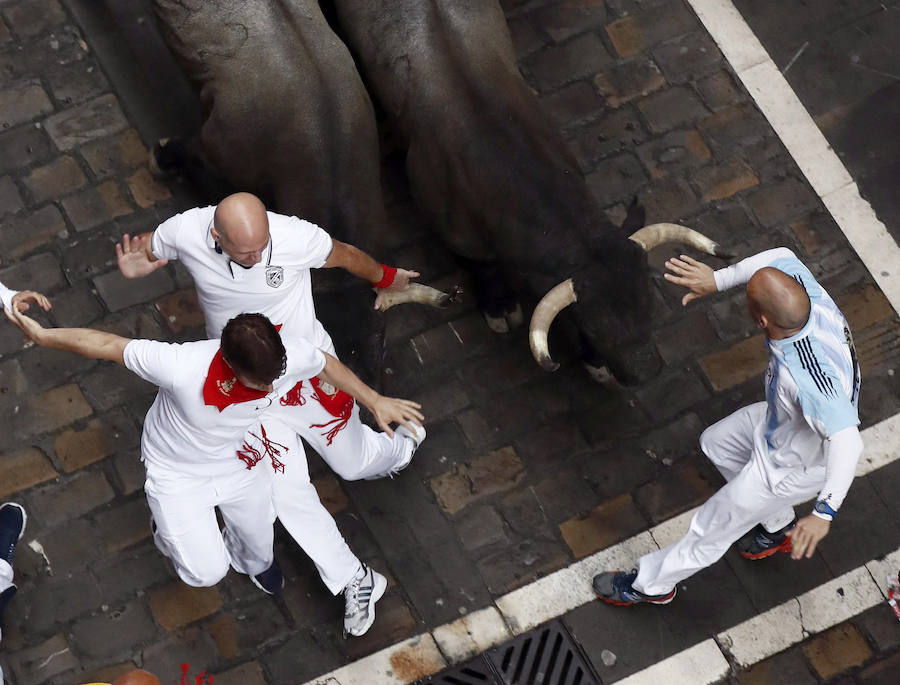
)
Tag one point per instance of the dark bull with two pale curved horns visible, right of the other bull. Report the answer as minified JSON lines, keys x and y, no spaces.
{"x":499,"y":183}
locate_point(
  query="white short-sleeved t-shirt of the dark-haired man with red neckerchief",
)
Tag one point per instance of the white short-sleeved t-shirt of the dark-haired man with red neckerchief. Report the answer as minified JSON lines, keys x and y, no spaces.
{"x":184,"y":435}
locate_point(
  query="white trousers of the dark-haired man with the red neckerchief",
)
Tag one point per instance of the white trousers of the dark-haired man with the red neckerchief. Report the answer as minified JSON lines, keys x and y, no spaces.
{"x":183,"y":509}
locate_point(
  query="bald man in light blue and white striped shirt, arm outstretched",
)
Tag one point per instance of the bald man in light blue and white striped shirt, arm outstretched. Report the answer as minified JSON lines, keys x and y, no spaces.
{"x":802,"y":442}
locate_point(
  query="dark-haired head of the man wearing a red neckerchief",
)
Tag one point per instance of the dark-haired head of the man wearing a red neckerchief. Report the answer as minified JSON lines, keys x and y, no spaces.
{"x":252,"y":347}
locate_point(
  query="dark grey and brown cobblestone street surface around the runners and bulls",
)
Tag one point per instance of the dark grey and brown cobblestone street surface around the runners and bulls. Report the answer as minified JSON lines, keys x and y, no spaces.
{"x":522,"y":473}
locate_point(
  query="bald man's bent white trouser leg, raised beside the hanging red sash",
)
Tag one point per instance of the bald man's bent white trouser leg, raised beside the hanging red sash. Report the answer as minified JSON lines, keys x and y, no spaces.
{"x":355,"y":451}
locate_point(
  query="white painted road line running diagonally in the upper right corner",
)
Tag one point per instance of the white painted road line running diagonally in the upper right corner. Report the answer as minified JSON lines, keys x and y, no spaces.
{"x":788,"y":117}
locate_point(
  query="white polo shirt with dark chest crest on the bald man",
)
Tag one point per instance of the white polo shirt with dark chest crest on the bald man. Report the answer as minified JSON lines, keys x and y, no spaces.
{"x":279,"y":286}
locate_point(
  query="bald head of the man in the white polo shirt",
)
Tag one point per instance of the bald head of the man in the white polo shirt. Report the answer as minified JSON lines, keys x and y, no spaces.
{"x":241,"y":228}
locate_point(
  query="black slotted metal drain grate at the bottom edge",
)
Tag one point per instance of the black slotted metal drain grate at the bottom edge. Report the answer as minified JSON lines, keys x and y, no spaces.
{"x":544,"y":656}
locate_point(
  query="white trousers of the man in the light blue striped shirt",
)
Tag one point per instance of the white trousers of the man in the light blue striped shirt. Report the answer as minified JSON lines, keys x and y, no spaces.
{"x":746,"y":499}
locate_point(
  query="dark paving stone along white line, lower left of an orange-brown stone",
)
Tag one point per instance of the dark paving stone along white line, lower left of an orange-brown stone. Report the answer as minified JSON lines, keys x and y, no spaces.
{"x":515,"y":566}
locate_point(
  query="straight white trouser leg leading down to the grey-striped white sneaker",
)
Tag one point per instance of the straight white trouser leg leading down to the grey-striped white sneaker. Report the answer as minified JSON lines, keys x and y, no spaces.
{"x":301,"y":512}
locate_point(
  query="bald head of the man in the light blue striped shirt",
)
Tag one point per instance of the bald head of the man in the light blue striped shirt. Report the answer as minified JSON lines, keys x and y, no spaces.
{"x":777,"y":302}
